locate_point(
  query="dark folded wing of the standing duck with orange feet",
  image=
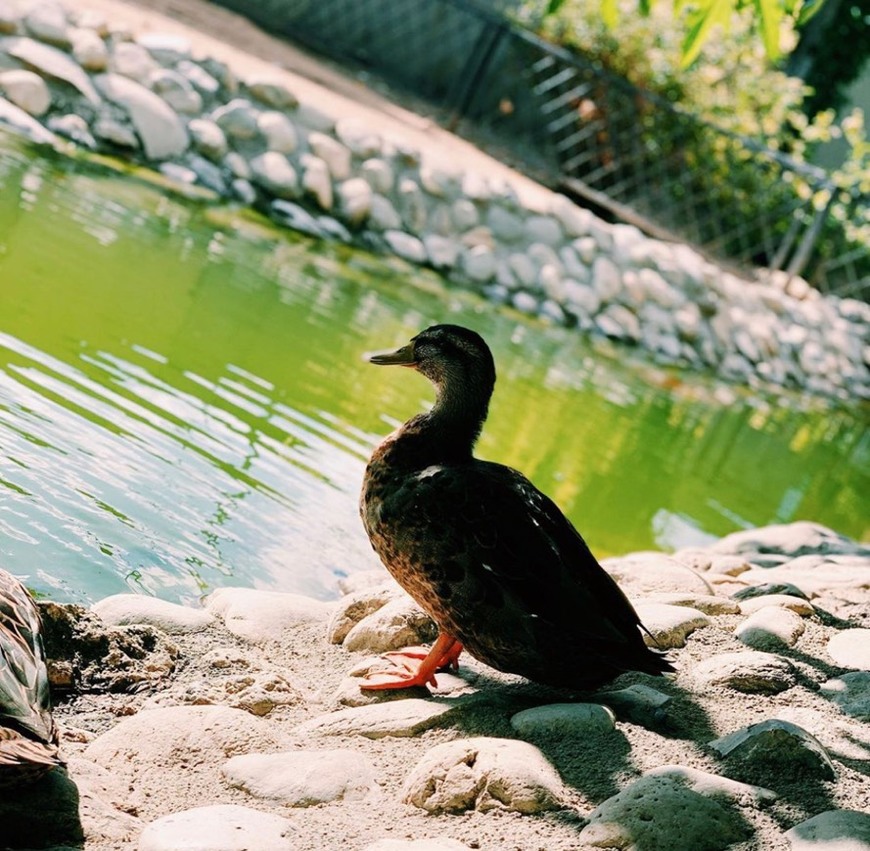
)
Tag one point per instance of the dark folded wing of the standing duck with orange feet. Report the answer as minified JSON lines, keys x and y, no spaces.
{"x":527,"y":557}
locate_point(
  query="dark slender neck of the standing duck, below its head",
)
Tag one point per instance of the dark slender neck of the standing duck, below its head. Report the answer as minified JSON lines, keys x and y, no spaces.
{"x":447,"y":433}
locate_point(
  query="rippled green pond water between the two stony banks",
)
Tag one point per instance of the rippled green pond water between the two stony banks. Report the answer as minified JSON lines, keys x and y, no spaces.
{"x":184,"y":405}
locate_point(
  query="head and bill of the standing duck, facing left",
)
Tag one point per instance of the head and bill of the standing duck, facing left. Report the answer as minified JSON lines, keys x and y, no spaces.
{"x":450,"y":356}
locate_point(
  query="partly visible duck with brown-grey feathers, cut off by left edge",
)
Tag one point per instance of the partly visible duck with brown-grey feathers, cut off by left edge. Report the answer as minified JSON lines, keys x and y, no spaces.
{"x":28,"y":734}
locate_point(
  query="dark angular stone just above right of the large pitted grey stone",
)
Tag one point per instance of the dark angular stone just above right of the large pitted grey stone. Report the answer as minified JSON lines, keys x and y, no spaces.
{"x":779,"y":748}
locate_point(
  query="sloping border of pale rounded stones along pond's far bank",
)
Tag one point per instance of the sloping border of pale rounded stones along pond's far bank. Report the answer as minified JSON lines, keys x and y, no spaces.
{"x":72,"y":75}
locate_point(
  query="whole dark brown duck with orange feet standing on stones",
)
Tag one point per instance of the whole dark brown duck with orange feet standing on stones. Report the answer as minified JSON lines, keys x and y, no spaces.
{"x":490,"y":558}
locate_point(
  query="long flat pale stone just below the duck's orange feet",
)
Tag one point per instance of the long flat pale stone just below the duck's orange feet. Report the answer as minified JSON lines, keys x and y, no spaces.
{"x":406,"y":717}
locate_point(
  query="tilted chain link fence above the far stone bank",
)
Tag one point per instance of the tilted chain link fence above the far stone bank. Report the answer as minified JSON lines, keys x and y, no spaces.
{"x":581,"y":129}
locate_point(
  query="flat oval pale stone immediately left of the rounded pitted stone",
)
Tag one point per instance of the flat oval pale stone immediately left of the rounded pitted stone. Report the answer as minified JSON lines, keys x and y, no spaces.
{"x":303,"y":778}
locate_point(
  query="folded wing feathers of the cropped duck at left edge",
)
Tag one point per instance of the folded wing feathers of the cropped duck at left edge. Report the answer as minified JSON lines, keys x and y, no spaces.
{"x":24,"y":691}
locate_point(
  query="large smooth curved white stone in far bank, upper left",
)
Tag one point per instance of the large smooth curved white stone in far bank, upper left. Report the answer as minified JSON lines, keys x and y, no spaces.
{"x":160,"y":130}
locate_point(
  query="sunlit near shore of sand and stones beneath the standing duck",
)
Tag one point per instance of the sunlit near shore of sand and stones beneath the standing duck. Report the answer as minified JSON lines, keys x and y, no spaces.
{"x":245,"y":719}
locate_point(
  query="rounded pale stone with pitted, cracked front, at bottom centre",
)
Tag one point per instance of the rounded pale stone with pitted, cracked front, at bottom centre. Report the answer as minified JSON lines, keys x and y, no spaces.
{"x":484,"y":774}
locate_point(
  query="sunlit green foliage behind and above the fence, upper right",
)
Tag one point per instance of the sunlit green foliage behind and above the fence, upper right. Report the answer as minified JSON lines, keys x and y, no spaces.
{"x":733,"y":86}
